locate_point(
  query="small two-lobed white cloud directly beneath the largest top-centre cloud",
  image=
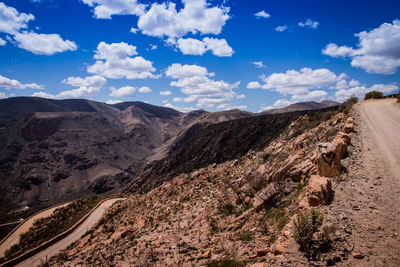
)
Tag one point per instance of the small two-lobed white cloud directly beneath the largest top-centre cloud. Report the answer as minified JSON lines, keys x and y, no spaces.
{"x":219,"y":47}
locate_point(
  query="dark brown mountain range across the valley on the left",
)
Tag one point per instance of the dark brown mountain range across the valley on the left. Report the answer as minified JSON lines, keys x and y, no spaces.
{"x":57,"y":150}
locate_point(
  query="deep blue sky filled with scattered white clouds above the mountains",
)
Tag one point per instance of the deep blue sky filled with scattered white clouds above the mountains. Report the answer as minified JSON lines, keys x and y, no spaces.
{"x":214,"y":55}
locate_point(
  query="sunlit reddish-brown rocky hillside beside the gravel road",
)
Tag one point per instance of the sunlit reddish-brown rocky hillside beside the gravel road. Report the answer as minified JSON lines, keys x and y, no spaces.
{"x":234,"y":213}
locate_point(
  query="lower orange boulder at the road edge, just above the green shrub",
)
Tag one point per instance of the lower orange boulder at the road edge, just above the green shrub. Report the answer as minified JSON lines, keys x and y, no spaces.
{"x":314,"y":191}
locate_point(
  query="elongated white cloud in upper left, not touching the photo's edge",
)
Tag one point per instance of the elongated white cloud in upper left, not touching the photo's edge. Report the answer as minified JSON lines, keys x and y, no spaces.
{"x":43,"y":44}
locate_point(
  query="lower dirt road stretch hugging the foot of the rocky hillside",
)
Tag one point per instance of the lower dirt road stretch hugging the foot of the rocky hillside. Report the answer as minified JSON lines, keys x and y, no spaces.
{"x":41,"y":257}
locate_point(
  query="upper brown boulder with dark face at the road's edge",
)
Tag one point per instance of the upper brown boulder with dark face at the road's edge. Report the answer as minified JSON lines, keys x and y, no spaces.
{"x":328,"y":160}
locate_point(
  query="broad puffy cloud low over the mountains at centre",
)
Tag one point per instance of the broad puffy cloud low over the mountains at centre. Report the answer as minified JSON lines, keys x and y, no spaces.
{"x":194,"y":81}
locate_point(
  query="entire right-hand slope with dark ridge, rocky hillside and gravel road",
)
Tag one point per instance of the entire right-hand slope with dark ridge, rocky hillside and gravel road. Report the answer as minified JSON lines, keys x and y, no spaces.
{"x":239,"y":200}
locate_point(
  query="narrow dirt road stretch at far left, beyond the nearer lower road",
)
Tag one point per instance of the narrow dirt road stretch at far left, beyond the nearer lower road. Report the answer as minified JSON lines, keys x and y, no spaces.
{"x":14,"y":237}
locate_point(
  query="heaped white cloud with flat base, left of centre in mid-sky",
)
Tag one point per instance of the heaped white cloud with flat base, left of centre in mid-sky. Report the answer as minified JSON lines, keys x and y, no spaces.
{"x":114,"y":61}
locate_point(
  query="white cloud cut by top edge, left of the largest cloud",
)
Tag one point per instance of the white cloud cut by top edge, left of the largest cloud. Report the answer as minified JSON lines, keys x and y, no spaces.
{"x":104,"y":9}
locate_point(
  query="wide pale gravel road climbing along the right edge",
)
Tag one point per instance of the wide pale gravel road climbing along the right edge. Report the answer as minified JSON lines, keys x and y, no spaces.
{"x":367,"y":201}
